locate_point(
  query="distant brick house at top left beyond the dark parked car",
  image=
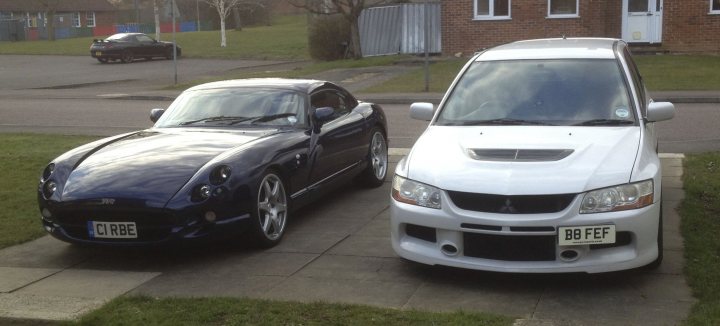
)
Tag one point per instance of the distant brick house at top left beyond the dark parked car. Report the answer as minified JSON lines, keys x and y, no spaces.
{"x":72,"y":17}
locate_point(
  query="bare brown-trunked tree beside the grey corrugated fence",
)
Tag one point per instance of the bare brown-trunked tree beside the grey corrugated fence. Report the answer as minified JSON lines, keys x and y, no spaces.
{"x":349,"y":9}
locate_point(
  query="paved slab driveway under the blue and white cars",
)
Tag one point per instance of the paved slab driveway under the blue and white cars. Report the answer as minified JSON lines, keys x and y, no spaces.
{"x":339,"y":251}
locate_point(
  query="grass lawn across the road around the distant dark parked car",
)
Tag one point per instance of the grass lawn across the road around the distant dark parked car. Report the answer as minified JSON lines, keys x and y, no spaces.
{"x":286,"y":39}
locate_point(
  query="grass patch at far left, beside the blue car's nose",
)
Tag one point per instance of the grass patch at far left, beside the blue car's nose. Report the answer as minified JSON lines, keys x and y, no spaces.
{"x":23,"y":157}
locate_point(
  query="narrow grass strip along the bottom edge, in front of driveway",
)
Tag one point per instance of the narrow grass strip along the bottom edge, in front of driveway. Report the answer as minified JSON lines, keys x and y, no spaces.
{"x":230,"y":311}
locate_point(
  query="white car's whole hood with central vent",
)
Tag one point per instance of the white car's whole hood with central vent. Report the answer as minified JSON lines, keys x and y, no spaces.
{"x":524,"y":160}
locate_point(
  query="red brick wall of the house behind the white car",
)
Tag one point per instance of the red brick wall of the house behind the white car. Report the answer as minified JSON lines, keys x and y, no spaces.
{"x":687,"y":26}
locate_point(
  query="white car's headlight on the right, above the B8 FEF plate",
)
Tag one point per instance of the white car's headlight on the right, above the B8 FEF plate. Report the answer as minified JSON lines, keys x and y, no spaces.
{"x":618,"y":198}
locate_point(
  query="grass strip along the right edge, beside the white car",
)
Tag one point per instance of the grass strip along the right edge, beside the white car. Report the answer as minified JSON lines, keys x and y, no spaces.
{"x":700,"y":211}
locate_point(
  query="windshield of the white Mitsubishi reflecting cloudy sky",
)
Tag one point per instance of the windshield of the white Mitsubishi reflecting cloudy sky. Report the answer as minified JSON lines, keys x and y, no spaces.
{"x":589,"y":92}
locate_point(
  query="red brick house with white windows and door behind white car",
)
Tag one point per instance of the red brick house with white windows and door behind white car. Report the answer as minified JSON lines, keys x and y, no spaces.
{"x":661,"y":25}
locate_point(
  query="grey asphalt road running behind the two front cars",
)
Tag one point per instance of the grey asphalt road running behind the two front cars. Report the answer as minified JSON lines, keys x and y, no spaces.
{"x":72,"y":95}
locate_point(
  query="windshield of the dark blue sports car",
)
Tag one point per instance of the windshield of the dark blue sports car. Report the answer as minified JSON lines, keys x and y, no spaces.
{"x":236,"y":107}
